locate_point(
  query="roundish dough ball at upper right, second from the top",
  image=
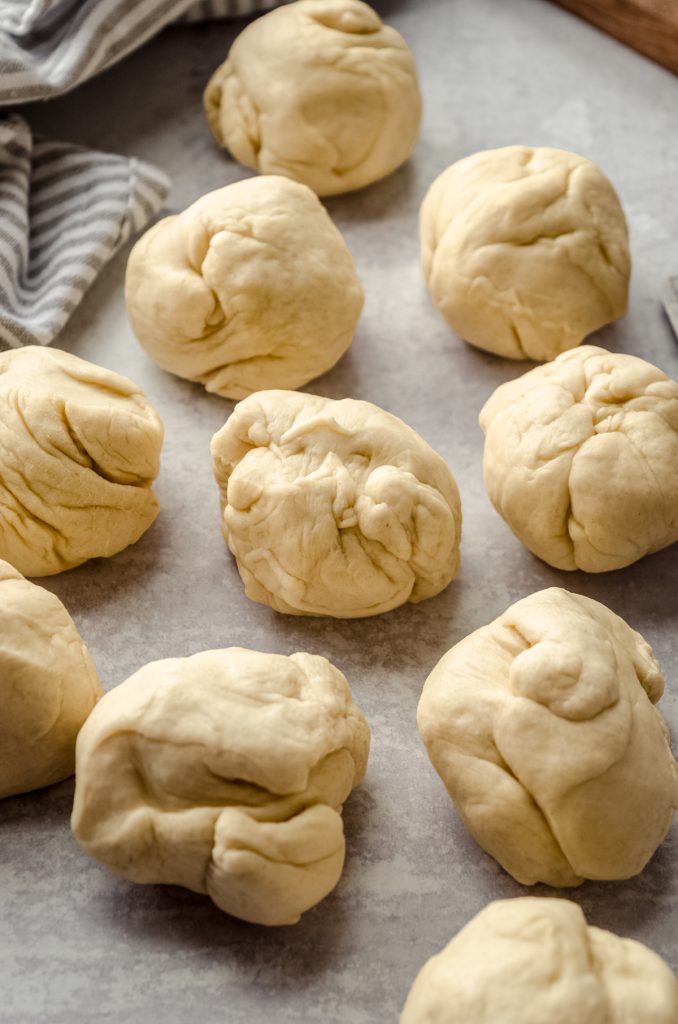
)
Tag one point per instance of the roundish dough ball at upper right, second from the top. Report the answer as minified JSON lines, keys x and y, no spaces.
{"x":526,"y":251}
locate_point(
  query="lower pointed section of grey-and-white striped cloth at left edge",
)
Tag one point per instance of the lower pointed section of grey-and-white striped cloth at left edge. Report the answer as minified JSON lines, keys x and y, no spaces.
{"x":64,"y":212}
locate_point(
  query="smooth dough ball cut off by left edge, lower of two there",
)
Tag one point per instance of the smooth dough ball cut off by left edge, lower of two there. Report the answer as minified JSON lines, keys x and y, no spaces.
{"x":49,"y":687}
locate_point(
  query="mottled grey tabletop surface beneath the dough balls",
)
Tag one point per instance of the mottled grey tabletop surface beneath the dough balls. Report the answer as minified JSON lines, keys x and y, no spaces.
{"x":79,"y":946}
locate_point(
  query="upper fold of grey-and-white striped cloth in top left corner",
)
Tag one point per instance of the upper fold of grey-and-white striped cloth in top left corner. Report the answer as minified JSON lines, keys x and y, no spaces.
{"x":50,"y":47}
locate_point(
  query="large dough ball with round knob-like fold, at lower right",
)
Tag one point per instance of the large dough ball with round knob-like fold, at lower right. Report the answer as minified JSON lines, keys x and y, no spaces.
{"x":543,"y":728}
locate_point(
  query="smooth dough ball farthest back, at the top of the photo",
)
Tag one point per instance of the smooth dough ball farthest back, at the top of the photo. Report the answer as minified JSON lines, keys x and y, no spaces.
{"x":321,"y":92}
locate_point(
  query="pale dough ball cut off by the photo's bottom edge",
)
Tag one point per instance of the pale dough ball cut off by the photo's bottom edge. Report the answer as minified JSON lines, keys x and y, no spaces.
{"x":537,"y":962}
